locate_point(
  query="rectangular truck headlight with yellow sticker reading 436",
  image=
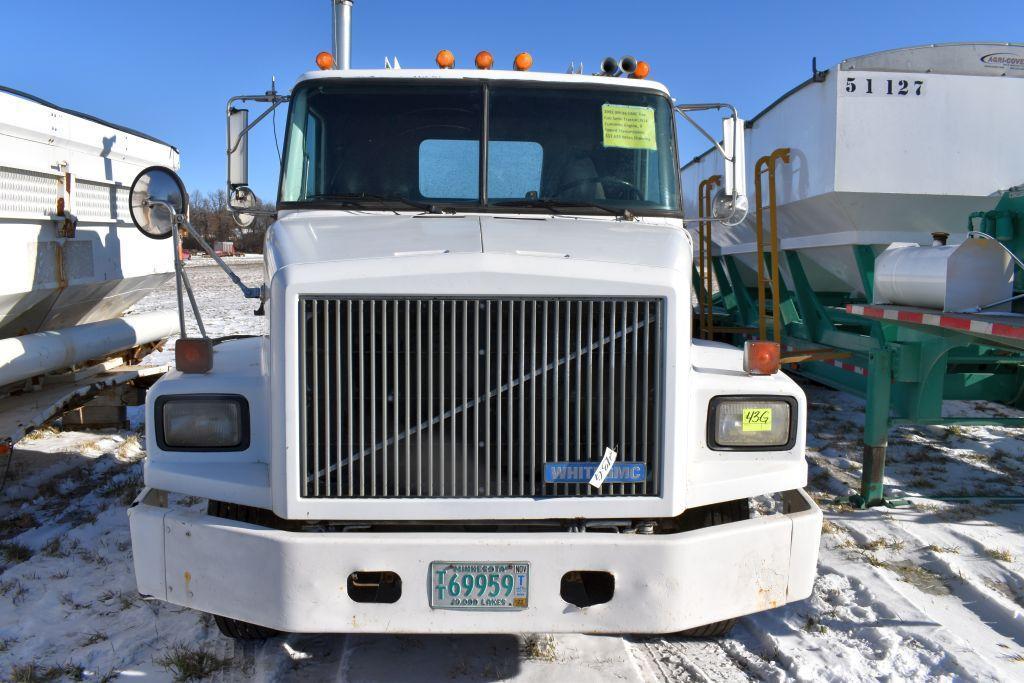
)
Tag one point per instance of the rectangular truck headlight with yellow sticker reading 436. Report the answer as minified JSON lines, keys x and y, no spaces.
{"x":752,"y":423}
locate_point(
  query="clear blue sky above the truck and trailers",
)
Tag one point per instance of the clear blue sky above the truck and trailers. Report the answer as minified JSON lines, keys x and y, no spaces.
{"x":168,"y":68}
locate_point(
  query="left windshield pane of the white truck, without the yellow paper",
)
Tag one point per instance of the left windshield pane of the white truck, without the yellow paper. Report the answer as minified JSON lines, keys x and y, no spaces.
{"x":380,"y":142}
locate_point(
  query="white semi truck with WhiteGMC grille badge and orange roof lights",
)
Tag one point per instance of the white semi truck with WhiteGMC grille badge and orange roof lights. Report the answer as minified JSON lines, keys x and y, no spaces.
{"x":481,"y":406}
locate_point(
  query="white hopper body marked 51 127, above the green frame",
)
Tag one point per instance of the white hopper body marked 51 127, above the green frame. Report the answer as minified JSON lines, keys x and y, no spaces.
{"x":886,"y":148}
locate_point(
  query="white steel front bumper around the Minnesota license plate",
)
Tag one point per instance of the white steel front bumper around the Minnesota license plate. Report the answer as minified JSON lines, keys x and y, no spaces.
{"x":296,"y":582}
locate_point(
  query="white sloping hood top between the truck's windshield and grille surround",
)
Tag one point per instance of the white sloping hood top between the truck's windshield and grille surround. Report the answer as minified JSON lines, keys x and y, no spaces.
{"x":336,"y":236}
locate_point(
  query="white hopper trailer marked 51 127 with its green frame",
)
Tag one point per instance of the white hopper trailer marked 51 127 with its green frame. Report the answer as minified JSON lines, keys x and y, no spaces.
{"x":857,"y":174}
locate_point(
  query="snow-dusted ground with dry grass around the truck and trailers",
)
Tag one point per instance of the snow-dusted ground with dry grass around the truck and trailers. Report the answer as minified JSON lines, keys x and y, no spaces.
{"x":934,"y":591}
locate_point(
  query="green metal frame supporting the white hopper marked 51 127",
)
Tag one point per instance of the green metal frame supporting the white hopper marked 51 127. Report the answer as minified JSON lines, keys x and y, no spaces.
{"x":901,"y":361}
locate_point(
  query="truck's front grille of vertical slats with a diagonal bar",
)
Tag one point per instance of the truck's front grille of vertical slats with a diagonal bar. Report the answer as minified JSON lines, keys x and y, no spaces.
{"x":470,"y":398}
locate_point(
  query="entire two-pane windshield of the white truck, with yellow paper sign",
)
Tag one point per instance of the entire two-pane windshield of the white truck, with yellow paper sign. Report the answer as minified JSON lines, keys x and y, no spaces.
{"x":565,"y":149}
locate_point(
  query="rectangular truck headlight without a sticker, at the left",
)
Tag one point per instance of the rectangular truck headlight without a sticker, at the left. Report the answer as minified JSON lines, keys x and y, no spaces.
{"x":202,"y":422}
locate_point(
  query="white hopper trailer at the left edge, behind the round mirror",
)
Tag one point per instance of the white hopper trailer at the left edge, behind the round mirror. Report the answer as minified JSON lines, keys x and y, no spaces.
{"x":75,"y":262}
